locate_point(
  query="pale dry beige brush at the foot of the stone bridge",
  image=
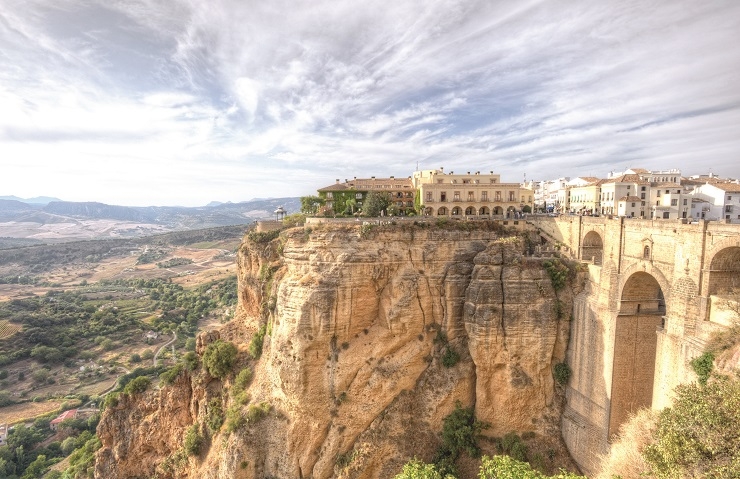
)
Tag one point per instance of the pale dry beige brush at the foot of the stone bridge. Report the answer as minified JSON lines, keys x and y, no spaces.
{"x":625,"y":459}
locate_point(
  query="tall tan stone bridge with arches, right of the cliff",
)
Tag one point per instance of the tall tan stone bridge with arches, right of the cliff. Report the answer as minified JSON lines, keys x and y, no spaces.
{"x":655,"y":292}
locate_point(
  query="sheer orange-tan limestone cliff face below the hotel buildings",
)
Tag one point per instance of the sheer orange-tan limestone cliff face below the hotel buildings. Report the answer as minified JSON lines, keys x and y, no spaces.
{"x":358,"y":324}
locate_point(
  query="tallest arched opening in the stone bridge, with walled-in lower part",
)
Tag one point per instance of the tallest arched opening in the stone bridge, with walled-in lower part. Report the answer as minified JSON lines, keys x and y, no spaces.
{"x":641,"y":309}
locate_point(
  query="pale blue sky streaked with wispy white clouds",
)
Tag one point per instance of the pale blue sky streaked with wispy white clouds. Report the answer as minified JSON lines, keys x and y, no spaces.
{"x":183,"y":102}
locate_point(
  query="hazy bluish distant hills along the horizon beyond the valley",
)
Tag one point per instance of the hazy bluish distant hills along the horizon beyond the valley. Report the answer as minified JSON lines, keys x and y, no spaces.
{"x":66,"y":220}
